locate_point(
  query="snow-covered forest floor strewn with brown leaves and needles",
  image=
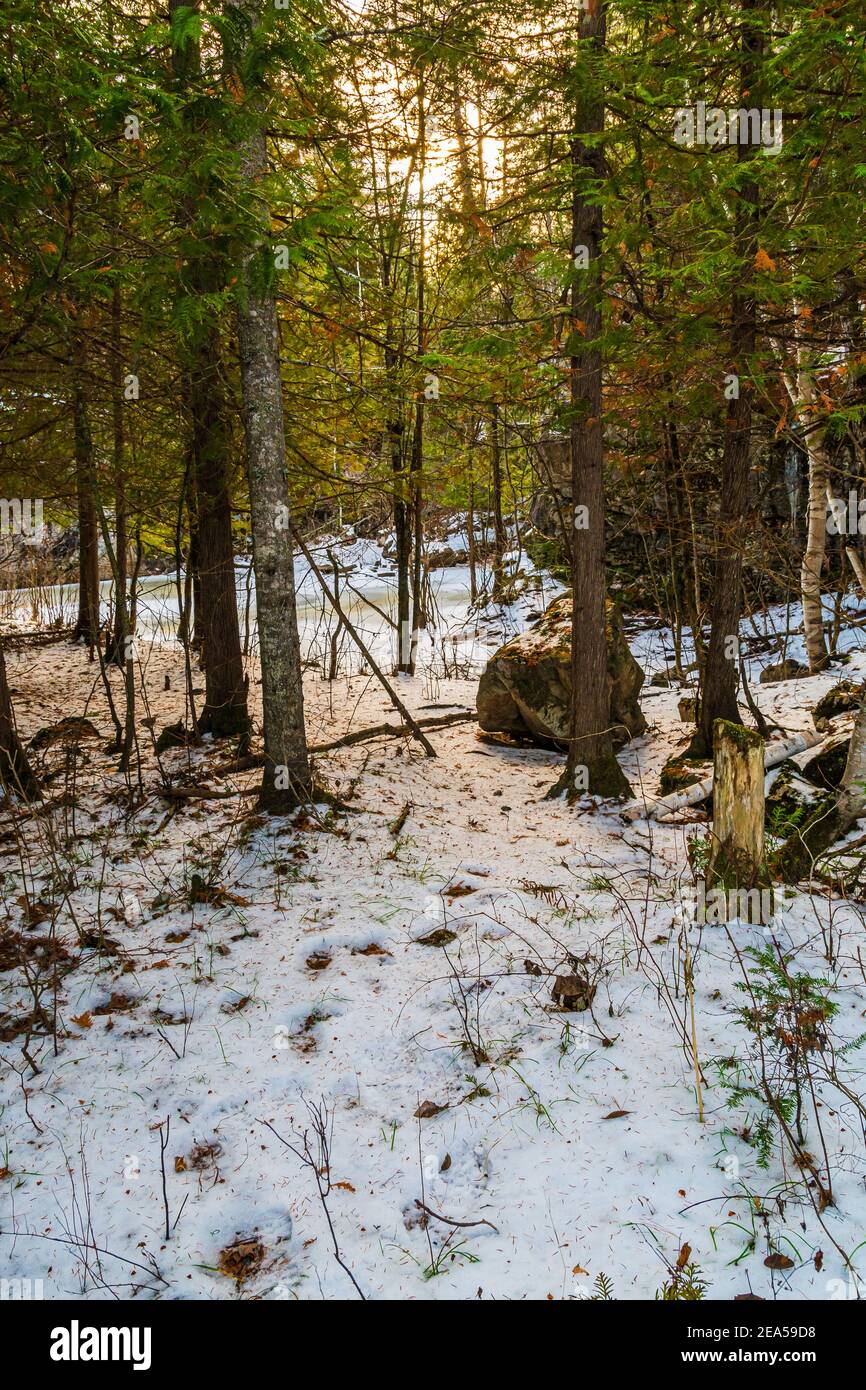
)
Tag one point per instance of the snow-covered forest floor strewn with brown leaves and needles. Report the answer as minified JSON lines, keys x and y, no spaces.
{"x":212,"y":972}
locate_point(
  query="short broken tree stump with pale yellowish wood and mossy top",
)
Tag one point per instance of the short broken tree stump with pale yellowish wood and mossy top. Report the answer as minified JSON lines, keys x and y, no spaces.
{"x":737,"y":885}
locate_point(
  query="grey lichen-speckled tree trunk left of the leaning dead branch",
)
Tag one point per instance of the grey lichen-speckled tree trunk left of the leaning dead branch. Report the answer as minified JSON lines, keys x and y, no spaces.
{"x":287,"y":780}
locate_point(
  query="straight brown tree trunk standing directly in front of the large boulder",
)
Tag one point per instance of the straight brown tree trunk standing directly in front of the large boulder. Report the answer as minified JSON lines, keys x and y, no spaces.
{"x":590,"y":747}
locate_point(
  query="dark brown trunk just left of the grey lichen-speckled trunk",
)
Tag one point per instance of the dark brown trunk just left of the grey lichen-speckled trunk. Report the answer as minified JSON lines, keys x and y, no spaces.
{"x":224,"y":712}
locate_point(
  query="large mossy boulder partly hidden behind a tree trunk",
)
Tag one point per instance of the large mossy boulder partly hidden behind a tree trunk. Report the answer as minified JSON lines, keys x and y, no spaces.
{"x":526,"y":689}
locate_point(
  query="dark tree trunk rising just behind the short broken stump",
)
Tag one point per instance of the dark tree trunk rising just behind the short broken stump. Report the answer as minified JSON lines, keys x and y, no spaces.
{"x":719,"y":676}
